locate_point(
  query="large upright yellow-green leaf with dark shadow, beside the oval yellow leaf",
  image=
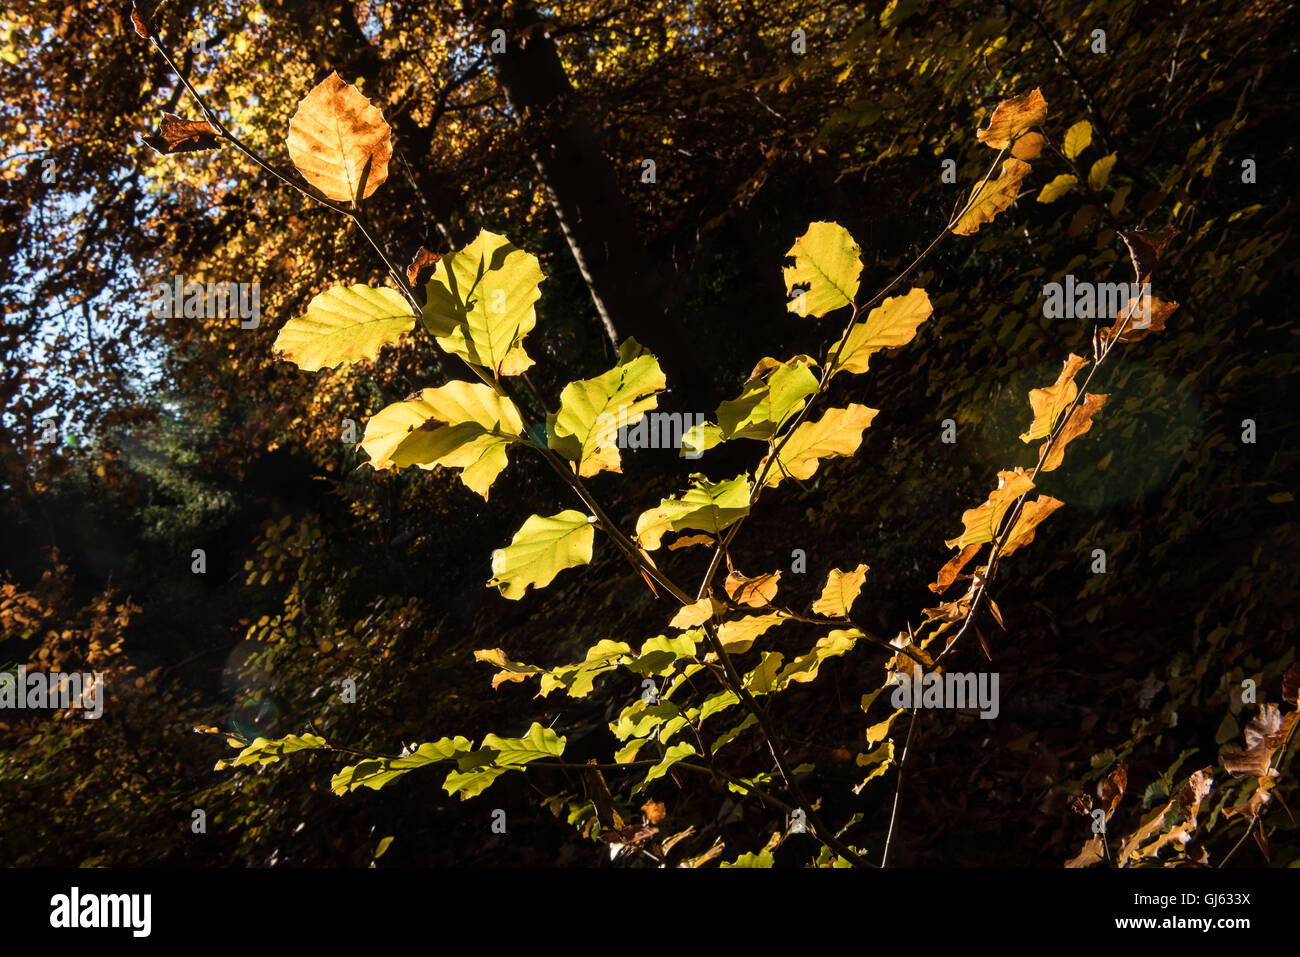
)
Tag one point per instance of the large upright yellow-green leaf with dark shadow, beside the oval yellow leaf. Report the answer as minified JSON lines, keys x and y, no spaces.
{"x":480,"y":304}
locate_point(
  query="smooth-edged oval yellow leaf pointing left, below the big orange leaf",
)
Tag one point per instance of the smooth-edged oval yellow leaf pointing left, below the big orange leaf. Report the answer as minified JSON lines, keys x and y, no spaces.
{"x":345,"y":324}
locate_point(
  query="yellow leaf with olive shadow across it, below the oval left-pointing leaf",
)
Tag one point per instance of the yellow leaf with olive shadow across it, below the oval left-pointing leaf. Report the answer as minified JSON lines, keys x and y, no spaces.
{"x":479,"y":427}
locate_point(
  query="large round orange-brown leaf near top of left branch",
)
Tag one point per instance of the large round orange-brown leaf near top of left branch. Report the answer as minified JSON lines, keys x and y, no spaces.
{"x":336,"y":138}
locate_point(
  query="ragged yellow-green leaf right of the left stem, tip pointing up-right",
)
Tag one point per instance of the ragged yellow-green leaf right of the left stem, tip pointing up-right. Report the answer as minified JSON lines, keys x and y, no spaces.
{"x":586,"y":431}
